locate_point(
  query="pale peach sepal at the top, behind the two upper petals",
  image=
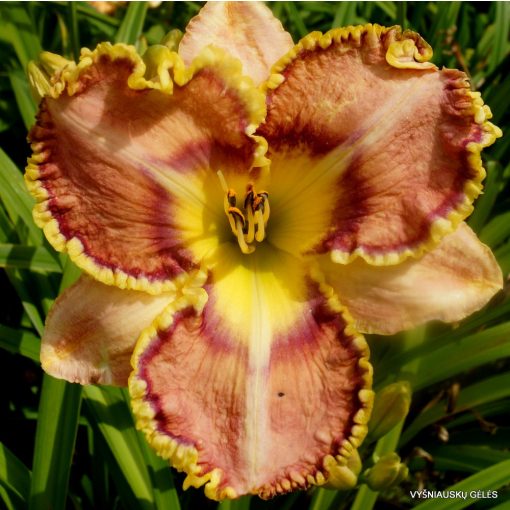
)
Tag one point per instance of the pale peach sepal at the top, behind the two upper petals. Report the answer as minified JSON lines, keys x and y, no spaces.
{"x":246,"y":30}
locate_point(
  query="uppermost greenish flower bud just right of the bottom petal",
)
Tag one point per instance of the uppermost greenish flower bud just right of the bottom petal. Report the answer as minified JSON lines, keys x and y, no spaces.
{"x":390,"y":407}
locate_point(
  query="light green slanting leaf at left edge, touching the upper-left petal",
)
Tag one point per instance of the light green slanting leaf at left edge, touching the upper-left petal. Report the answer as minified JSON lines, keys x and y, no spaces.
{"x":17,"y":201}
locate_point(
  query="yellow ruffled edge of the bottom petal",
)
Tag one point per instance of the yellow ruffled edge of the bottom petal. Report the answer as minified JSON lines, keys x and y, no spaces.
{"x":339,"y":471}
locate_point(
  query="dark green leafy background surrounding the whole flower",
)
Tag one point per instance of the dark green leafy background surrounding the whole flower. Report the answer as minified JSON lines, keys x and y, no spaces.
{"x":64,"y":446}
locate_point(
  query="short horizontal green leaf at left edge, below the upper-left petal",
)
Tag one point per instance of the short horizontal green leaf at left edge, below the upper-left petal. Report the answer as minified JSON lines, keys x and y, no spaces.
{"x":35,"y":258}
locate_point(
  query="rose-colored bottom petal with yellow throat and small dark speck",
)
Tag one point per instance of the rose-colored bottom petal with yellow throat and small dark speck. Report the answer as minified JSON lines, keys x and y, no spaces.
{"x":263,"y":390}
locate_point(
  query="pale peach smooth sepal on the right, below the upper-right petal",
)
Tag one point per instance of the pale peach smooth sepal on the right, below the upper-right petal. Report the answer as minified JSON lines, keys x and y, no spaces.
{"x":447,"y":284}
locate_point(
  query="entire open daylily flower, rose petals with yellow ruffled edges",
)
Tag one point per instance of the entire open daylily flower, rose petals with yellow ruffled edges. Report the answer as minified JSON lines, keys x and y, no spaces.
{"x":228,"y":204}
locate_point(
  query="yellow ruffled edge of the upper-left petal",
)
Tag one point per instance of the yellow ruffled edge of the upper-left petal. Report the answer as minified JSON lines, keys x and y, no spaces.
{"x":159,"y":69}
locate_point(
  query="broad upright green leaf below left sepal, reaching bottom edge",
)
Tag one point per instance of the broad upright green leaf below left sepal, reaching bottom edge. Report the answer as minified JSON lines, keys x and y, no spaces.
{"x":57,"y":425}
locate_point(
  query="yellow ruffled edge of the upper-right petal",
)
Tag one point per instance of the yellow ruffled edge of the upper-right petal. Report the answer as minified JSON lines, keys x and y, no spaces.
{"x":405,"y":50}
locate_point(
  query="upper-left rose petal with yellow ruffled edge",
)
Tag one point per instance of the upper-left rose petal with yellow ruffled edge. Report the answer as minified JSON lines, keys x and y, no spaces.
{"x":123,"y":166}
